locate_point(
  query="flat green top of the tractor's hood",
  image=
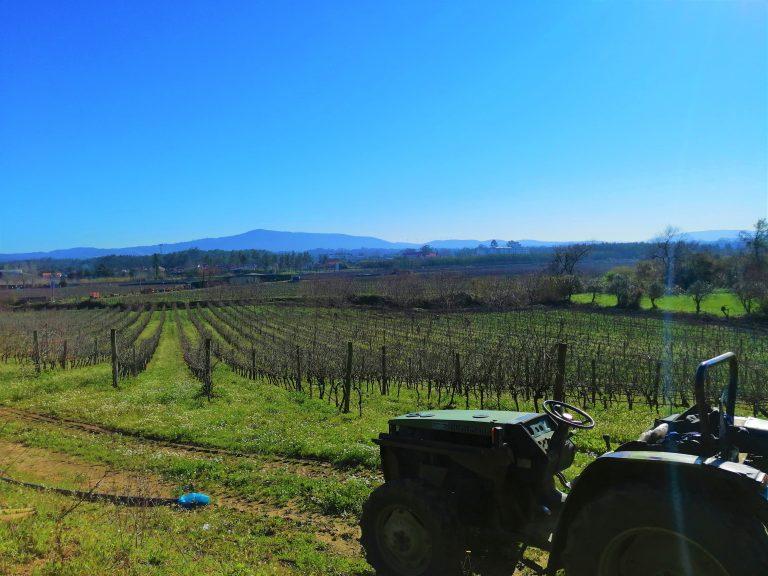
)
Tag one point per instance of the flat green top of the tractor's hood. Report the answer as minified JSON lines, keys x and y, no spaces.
{"x":464,"y":421}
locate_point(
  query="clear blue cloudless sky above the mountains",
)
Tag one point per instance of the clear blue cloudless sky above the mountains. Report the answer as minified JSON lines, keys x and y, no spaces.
{"x":126,"y":123}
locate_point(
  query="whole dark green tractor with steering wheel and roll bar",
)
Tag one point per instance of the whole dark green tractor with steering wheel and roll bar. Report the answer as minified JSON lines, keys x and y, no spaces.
{"x":688,"y":498}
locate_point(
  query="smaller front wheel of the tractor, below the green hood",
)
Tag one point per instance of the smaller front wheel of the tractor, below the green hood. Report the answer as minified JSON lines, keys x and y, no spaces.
{"x":409,"y":529}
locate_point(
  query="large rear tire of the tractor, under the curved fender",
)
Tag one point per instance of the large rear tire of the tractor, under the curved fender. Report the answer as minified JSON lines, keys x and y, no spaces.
{"x":641,"y":530}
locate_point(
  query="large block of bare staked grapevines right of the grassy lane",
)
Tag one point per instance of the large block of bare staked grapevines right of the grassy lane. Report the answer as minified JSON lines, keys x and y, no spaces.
{"x":459,"y":359}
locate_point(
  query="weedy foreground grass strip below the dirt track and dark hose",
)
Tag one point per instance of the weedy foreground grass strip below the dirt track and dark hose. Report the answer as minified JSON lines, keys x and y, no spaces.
{"x":105,"y":539}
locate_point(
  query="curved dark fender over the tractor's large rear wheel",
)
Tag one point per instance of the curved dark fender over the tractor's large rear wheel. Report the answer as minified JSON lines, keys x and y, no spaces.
{"x":737,"y":485}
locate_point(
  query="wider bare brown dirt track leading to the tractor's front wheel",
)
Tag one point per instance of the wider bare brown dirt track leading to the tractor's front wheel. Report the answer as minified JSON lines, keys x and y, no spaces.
{"x":52,"y":468}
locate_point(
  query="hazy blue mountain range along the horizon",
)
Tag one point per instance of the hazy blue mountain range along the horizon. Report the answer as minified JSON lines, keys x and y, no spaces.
{"x":277,"y":241}
